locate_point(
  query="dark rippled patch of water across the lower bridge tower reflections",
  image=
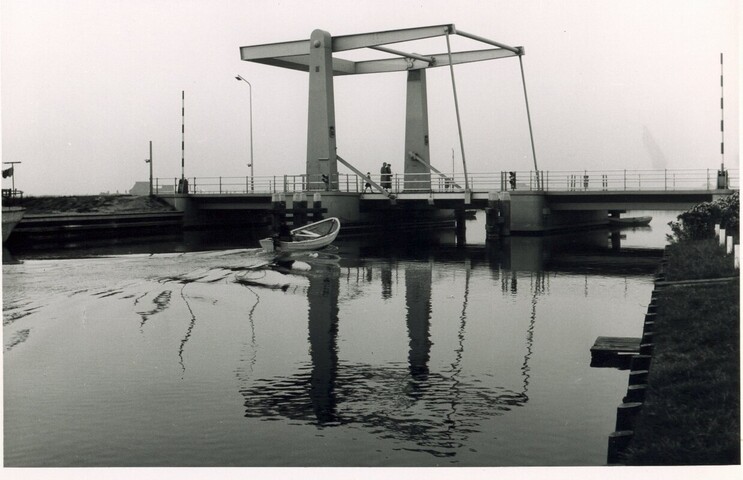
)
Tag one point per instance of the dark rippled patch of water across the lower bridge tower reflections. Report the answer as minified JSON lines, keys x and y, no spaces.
{"x":432,"y":413}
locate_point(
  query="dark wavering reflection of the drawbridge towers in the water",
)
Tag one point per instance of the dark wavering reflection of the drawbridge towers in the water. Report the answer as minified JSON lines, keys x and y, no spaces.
{"x":426,"y":409}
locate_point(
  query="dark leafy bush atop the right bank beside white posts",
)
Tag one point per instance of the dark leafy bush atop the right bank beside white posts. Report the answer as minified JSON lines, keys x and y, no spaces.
{"x":699,"y":222}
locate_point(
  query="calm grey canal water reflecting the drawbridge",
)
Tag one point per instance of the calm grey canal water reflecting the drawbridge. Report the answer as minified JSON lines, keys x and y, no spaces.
{"x":202,"y":352}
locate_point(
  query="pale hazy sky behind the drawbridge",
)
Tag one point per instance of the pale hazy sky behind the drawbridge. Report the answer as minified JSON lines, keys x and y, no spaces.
{"x":625,"y":84}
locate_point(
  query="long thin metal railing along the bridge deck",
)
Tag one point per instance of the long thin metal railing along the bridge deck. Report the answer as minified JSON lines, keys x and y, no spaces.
{"x":558,"y":181}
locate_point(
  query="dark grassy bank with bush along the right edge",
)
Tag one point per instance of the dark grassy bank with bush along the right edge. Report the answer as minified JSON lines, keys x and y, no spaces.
{"x":691,"y":414}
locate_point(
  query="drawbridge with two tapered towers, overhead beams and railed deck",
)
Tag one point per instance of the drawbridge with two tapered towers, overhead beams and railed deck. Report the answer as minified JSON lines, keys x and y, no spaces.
{"x":531,"y":201}
